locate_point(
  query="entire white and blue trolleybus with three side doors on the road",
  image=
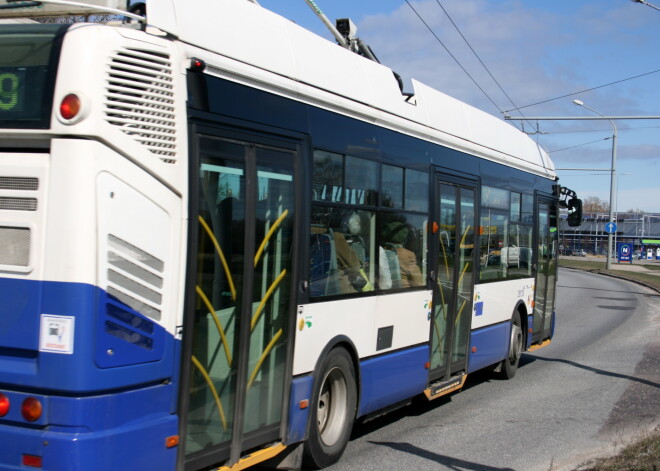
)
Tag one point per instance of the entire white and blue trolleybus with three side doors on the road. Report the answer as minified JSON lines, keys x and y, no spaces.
{"x":224,"y":239}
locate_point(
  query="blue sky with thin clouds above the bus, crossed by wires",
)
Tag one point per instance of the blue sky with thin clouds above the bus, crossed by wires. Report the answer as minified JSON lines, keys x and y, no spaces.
{"x":533,"y":51}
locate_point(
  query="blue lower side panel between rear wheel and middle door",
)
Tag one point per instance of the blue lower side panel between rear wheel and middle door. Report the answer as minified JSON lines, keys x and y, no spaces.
{"x":392,"y":378}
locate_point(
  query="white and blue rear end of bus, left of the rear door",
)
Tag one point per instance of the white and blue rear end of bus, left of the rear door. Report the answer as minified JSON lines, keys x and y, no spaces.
{"x":90,"y":258}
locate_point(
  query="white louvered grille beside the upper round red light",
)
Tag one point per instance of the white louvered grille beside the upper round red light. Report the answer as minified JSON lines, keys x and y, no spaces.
{"x":140,"y":100}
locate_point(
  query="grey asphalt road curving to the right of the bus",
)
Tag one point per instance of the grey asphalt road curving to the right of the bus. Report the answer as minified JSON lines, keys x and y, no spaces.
{"x":590,"y":391}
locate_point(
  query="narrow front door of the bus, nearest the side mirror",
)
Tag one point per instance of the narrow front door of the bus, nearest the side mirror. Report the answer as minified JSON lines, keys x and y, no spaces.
{"x":546,"y":268}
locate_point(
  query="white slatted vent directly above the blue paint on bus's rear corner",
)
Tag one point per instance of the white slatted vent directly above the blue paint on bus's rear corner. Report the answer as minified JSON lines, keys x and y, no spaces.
{"x":135,"y":277}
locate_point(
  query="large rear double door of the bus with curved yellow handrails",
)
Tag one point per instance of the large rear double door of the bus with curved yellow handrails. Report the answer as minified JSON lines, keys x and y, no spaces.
{"x":240,"y":295}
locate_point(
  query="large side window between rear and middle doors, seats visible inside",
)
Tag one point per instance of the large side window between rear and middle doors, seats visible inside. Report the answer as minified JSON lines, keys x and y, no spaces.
{"x":368,"y":226}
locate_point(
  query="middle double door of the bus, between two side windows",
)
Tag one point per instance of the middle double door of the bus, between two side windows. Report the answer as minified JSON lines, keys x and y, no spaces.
{"x":453,"y":274}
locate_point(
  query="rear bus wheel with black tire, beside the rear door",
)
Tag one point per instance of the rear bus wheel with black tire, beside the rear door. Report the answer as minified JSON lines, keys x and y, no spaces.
{"x":332,"y":410}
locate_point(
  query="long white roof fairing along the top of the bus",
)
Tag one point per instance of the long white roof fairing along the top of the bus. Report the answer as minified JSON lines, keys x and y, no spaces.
{"x":248,"y":33}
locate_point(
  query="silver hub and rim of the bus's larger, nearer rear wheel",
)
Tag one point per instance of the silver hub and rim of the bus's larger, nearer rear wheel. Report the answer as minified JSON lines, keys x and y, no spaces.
{"x":332,"y":405}
